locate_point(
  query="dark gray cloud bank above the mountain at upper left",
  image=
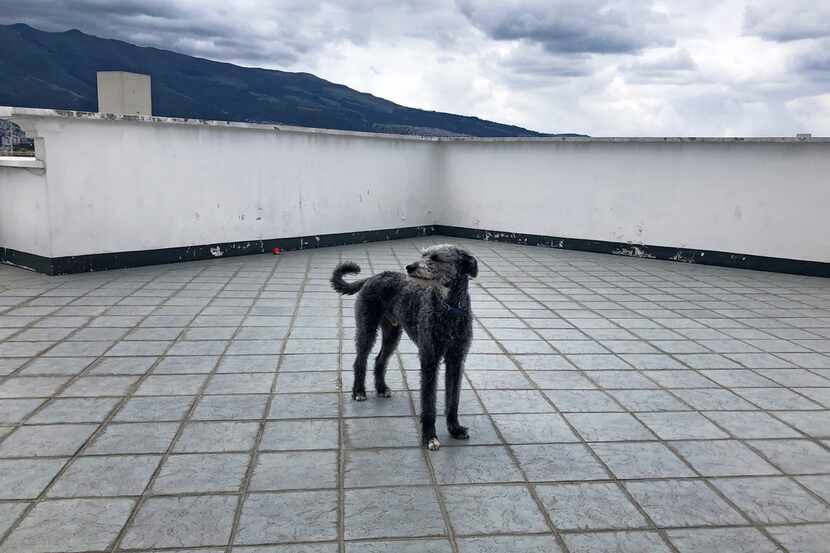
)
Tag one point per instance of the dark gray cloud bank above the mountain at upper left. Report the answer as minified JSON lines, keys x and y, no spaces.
{"x":217,"y":30}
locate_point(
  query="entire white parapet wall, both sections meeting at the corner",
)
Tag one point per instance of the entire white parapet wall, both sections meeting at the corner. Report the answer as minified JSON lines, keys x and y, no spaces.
{"x":107,"y":184}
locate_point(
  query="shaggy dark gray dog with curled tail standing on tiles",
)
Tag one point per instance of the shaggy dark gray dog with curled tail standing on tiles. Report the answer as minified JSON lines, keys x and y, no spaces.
{"x":431,"y":302}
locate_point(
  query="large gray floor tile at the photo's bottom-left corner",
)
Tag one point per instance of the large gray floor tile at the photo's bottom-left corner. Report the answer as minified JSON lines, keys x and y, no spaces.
{"x":69,"y":525}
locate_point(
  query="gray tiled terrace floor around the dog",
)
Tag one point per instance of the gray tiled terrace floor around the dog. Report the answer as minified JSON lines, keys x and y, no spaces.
{"x":615,"y":405}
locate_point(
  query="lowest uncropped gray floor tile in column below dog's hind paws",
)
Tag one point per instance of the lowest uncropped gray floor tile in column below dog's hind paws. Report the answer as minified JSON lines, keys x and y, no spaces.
{"x":392,"y":513}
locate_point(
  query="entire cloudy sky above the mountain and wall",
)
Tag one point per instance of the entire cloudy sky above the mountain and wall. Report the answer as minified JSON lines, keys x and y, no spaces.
{"x":602,"y":67}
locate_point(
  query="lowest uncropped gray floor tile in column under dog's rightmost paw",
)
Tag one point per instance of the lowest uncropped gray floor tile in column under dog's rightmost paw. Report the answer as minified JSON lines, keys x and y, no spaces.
{"x":492,"y":510}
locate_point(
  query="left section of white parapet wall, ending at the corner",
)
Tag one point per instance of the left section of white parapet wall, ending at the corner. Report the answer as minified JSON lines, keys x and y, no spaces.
{"x":118,"y":183}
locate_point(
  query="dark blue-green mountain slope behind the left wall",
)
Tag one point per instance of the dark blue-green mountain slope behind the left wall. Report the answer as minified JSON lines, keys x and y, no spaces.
{"x":57,"y":70}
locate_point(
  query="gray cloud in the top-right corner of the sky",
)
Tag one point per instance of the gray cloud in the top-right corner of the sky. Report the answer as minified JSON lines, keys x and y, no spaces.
{"x":785,"y":21}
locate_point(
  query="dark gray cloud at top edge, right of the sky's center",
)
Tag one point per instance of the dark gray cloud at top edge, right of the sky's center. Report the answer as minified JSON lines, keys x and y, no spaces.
{"x":572,"y":26}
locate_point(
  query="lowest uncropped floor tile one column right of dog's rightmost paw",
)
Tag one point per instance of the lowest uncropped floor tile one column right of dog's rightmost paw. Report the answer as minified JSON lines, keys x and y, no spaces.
{"x":589,"y":506}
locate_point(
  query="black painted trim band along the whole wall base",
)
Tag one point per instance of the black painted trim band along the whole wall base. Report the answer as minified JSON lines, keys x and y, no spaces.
{"x":122,"y":260}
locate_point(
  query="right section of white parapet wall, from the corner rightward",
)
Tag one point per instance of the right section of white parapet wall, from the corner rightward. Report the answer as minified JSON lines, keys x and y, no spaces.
{"x":760,"y":197}
